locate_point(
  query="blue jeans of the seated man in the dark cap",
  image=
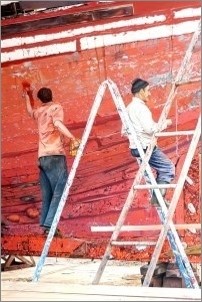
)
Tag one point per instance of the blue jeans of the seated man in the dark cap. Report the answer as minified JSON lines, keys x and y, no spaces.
{"x":165,"y":169}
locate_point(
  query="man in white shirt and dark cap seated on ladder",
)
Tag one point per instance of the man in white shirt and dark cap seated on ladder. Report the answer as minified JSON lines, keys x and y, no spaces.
{"x":144,"y":125}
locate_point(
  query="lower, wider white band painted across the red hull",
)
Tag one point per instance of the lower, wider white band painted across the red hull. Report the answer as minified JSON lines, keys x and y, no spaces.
{"x":156,"y":32}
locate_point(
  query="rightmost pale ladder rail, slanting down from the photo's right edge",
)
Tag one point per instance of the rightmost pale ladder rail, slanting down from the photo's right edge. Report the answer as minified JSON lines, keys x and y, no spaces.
{"x":173,"y":204}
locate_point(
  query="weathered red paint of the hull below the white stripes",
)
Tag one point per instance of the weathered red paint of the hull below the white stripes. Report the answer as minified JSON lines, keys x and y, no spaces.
{"x":107,"y":170}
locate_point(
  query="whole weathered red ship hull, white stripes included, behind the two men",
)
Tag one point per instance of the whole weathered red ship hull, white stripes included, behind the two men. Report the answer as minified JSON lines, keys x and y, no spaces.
{"x":73,"y":63}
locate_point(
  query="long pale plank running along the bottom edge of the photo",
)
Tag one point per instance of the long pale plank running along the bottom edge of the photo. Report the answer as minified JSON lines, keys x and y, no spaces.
{"x":100,"y":292}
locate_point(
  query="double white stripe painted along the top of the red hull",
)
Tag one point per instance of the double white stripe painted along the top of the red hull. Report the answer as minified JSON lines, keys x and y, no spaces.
{"x":97,"y":41}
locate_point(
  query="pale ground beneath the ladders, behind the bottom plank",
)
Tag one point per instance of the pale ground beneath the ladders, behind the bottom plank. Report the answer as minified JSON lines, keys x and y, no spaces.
{"x":82,"y":271}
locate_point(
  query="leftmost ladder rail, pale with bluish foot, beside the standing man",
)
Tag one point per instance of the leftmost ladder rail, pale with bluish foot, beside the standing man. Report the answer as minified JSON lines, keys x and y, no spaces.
{"x":70,"y":179}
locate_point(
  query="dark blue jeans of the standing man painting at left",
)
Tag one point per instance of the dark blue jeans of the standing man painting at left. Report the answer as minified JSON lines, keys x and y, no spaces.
{"x":53,"y":177}
